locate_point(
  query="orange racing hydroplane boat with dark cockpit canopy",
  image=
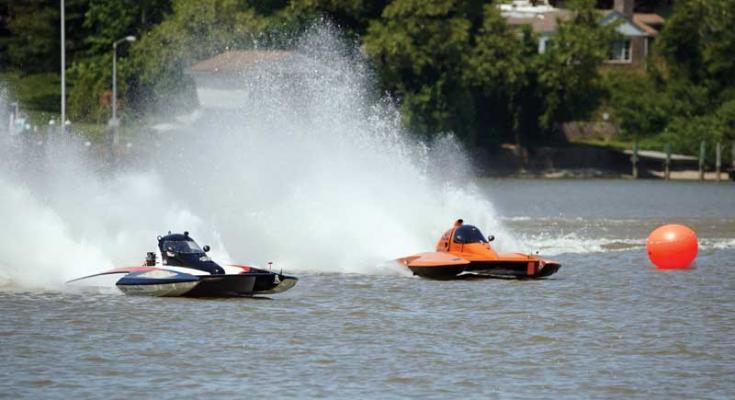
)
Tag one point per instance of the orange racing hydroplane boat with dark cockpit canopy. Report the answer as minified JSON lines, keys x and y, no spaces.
{"x":464,"y":252}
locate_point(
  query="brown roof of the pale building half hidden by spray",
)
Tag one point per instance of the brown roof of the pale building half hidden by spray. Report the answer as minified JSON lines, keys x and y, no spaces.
{"x":238,"y":60}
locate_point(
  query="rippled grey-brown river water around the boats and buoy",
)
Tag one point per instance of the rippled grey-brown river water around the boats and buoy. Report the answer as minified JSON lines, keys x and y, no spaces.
{"x":607,"y":325}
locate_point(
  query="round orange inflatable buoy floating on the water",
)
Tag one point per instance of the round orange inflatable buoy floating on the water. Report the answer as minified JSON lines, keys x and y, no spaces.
{"x":672,"y":246}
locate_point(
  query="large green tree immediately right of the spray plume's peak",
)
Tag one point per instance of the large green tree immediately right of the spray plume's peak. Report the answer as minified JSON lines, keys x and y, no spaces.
{"x":420,"y":49}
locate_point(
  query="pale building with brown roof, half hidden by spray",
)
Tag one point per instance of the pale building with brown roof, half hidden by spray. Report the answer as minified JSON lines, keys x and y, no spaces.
{"x":219,"y":80}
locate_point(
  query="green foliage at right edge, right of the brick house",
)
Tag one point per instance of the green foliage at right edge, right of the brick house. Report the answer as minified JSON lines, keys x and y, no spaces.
{"x":687,"y":95}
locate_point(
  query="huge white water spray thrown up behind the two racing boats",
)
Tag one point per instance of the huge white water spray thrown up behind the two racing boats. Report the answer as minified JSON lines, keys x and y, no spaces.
{"x":312,"y":171}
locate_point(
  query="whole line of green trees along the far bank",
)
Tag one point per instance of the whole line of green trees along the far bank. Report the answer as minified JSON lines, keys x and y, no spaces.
{"x":452,"y":65}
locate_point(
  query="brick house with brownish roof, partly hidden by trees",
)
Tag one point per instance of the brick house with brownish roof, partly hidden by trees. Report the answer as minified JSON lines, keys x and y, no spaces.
{"x":637,"y":30}
